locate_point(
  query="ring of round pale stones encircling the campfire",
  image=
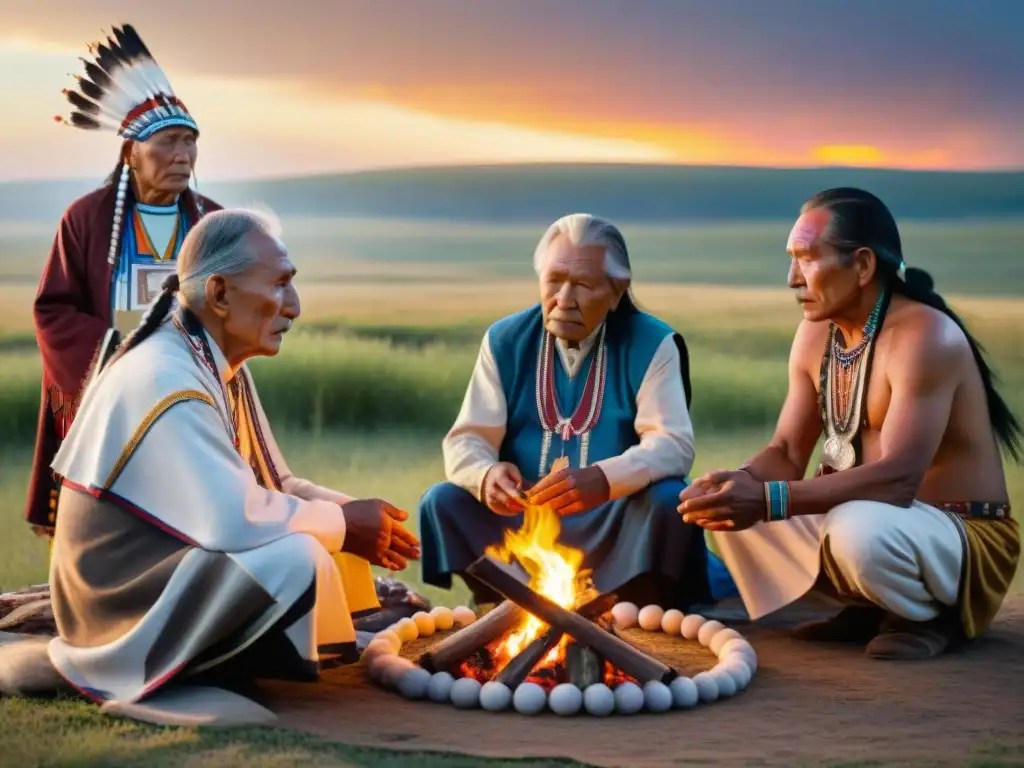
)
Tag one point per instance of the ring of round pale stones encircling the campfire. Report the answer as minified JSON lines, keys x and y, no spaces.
{"x":738,"y":663}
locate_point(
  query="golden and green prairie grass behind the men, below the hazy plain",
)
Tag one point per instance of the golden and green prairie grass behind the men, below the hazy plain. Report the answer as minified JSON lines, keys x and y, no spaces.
{"x":367,"y":386}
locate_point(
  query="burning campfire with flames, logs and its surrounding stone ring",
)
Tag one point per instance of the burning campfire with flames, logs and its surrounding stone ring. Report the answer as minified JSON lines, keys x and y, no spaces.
{"x":552,"y":639}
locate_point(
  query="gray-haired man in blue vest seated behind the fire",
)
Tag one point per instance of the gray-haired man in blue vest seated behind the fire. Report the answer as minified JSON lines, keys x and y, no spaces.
{"x":587,"y":376}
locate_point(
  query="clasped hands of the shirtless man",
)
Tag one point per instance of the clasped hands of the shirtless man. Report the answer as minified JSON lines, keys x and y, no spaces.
{"x":723,"y":501}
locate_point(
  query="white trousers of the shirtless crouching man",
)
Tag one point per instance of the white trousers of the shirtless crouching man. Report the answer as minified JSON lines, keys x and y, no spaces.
{"x":907,"y":561}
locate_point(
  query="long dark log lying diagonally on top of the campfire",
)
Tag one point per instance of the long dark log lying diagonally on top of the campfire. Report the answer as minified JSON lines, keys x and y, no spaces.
{"x":630,"y":660}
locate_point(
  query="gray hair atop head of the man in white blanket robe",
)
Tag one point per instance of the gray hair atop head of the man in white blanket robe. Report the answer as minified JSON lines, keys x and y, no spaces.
{"x":220,"y":245}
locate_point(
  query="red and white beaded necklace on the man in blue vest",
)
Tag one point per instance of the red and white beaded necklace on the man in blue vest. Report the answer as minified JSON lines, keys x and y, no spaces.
{"x":588,"y":411}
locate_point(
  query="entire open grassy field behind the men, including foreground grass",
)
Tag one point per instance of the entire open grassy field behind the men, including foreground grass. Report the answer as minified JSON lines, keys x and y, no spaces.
{"x":375,"y":372}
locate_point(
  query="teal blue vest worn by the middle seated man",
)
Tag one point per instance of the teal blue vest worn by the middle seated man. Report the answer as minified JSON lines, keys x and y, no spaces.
{"x":631,"y":342}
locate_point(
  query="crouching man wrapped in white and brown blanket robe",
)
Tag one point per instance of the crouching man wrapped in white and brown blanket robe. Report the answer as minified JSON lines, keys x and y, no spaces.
{"x":185,"y":547}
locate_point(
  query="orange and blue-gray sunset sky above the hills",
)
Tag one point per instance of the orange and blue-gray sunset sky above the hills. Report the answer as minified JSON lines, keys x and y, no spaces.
{"x":282,"y":89}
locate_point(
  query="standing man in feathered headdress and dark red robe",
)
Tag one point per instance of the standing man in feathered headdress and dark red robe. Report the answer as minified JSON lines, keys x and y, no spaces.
{"x":115,"y":245}
